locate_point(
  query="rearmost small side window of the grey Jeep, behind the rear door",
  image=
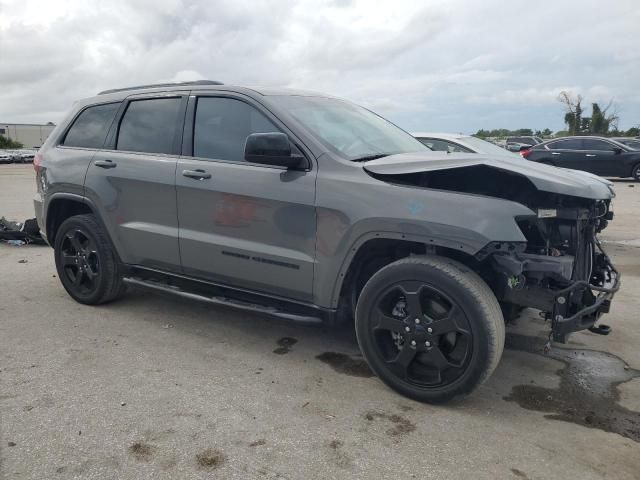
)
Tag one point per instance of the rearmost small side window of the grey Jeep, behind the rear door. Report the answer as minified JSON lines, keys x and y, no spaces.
{"x":91,"y":126}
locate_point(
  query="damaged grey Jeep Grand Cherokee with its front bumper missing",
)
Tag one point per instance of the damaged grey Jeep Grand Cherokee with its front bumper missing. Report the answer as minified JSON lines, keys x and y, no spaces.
{"x":310,"y":208}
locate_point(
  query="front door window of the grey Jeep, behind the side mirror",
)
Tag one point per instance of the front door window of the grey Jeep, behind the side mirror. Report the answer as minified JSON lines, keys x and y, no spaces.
{"x":222,"y":126}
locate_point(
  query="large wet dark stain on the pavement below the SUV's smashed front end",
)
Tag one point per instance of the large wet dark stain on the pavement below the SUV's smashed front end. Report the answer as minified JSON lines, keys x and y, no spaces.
{"x":588,"y":393}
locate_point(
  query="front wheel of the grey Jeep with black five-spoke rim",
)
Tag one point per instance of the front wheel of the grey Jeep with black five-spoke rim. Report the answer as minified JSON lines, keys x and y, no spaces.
{"x":458,"y":342}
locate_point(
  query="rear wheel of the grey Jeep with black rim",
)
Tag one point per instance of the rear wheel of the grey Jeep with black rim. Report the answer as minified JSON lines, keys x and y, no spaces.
{"x":86,"y":261}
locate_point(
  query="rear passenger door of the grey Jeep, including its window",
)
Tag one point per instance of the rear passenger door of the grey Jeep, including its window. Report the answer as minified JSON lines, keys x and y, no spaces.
{"x":132,"y":180}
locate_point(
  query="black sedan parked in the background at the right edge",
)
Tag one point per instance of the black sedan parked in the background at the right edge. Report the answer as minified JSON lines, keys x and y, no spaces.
{"x":599,"y":155}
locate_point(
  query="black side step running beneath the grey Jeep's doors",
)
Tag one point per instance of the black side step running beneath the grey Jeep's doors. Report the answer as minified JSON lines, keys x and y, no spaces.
{"x":220,"y":300}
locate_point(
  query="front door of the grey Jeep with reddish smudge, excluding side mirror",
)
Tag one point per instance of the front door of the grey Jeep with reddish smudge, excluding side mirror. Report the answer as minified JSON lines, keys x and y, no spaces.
{"x":243,"y":224}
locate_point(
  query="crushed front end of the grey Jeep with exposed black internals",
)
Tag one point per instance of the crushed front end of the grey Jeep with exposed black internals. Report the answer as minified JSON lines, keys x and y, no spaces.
{"x":562,"y":270}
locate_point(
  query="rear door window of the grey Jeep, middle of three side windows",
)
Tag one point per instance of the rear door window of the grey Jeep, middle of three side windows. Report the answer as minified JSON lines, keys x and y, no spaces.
{"x":149,"y":126}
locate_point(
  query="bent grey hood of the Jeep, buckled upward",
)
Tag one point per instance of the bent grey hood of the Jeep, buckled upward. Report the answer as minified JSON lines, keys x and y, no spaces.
{"x":545,"y":177}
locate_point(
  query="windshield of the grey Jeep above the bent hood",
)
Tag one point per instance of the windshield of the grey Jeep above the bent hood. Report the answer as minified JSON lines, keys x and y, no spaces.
{"x":353,"y":132}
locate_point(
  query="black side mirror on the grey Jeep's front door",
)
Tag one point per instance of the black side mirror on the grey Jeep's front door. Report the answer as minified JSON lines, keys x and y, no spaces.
{"x":270,"y":149}
